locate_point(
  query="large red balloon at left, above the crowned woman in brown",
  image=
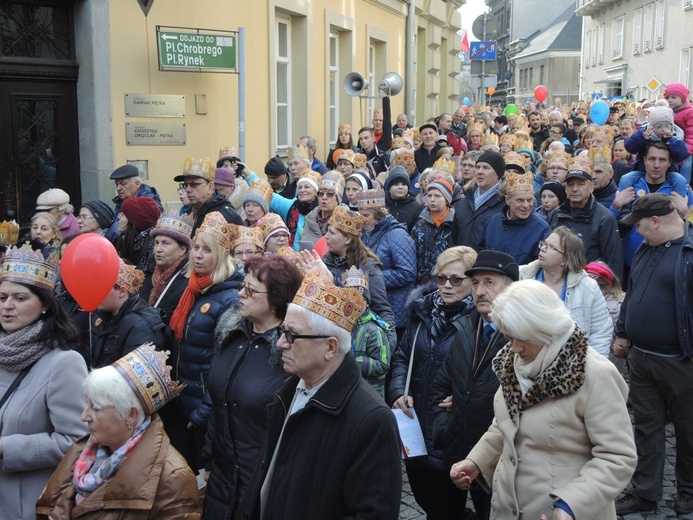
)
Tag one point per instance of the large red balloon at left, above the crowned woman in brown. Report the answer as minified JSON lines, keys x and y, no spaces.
{"x":89,"y":269}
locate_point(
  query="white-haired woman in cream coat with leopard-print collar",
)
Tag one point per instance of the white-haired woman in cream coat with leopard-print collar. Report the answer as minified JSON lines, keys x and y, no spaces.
{"x":561,"y":443}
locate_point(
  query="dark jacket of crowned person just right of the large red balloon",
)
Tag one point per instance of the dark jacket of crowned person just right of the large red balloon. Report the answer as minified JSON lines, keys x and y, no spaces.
{"x":115,"y":336}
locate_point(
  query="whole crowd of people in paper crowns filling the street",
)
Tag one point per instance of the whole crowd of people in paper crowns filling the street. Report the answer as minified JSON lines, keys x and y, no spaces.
{"x":486,"y":274}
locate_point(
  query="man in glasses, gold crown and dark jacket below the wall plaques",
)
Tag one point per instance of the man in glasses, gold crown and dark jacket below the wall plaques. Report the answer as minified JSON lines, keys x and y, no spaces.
{"x":198,"y":180}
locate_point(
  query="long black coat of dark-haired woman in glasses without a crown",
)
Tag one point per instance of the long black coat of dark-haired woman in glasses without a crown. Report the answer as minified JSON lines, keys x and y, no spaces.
{"x":244,"y":375}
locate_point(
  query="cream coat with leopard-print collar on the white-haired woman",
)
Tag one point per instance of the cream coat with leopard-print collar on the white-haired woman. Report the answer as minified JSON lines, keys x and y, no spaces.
{"x":577,"y":447}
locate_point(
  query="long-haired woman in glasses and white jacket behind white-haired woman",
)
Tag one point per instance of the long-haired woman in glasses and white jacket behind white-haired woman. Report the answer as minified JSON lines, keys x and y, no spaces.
{"x":561,"y":266}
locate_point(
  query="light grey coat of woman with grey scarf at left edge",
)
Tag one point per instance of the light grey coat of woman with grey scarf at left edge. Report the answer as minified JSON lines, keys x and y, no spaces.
{"x":38,"y":424}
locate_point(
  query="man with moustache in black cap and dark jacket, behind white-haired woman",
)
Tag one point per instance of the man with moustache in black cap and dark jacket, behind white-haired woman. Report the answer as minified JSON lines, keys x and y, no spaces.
{"x":465,"y":386}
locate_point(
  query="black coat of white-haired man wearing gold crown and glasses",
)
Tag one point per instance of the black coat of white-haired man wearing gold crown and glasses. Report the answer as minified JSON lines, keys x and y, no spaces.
{"x":339,"y":456}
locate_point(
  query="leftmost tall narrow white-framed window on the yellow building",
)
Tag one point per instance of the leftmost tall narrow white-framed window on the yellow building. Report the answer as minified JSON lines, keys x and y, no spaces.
{"x":283,"y":82}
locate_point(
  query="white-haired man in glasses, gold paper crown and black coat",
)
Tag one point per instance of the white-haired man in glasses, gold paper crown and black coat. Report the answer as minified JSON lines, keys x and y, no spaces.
{"x":332,"y":447}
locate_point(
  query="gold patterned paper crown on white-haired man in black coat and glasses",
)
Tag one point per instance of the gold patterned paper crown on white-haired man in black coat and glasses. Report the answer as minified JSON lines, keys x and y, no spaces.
{"x":342,"y":306}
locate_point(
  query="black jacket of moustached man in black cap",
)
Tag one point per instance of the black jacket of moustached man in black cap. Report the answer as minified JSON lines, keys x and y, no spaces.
{"x":455,"y":432}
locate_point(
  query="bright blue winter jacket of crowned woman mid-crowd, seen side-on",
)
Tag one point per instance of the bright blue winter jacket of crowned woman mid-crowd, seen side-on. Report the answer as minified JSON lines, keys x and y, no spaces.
{"x":395,"y":248}
